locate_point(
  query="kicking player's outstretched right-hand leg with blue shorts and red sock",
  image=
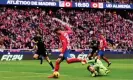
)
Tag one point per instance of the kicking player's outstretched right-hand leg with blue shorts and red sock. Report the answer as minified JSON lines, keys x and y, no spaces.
{"x":72,"y":60}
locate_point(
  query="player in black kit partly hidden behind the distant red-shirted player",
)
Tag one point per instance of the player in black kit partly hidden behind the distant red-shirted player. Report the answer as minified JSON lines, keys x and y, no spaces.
{"x":94,"y":45}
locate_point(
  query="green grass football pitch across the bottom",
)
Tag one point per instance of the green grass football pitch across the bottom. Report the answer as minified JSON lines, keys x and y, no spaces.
{"x":121,"y":69}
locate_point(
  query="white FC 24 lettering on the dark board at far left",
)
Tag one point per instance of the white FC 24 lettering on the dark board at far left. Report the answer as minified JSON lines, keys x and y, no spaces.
{"x":10,"y":57}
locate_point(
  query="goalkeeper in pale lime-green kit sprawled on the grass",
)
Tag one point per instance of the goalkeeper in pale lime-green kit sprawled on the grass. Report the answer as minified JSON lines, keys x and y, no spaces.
{"x":97,"y":68}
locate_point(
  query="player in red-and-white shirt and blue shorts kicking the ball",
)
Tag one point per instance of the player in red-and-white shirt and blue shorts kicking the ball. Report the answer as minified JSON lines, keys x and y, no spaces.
{"x":65,"y":50}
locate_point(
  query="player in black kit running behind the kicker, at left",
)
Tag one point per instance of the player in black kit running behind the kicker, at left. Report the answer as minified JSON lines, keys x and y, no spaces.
{"x":41,"y":51}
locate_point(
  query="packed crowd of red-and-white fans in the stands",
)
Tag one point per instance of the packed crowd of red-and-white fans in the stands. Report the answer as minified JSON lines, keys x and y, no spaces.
{"x":19,"y":25}
